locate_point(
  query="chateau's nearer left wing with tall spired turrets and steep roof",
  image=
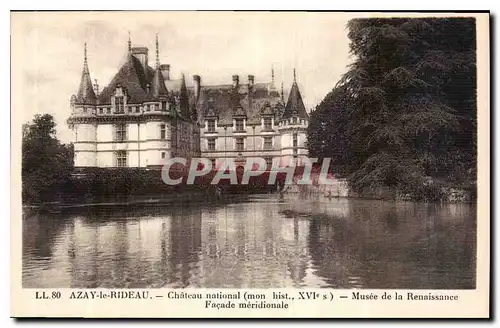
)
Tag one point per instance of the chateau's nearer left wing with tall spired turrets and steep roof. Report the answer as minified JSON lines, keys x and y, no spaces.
{"x":135,"y":121}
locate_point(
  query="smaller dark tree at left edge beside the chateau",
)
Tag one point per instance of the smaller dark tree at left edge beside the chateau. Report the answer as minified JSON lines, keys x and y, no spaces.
{"x":46,"y":163}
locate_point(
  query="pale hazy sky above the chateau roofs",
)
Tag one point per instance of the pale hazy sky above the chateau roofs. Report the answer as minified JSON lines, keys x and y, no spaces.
{"x":47,"y":51}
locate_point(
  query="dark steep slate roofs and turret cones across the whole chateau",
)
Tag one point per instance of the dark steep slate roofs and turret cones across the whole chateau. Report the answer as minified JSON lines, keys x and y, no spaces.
{"x":223,"y":101}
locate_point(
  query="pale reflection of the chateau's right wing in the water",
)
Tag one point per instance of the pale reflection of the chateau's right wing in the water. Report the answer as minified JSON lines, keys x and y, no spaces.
{"x":251,"y":245}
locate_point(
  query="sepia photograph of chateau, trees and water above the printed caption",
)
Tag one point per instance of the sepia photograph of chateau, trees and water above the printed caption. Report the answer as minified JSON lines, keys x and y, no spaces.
{"x":247,"y":150}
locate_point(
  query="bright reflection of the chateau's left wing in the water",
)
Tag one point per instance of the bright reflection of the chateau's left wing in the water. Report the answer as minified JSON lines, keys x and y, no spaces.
{"x":154,"y":250}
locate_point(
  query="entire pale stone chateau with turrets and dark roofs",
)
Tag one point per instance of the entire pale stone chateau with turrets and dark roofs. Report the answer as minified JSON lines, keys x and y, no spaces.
{"x":143,"y":117}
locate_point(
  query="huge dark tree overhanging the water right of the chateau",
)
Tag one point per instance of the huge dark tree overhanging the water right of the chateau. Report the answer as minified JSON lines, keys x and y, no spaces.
{"x":404,"y":115}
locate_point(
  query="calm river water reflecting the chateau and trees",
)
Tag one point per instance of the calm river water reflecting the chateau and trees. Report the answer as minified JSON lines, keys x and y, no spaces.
{"x":264,"y":241}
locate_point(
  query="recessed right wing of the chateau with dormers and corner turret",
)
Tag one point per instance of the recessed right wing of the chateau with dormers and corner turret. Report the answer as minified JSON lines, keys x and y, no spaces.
{"x":251,"y":119}
